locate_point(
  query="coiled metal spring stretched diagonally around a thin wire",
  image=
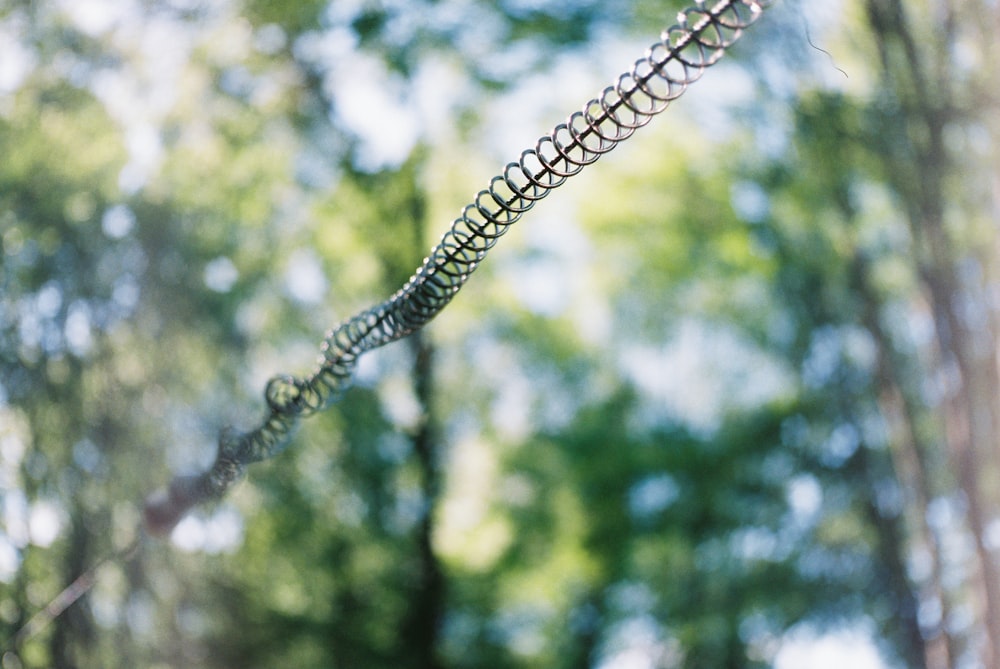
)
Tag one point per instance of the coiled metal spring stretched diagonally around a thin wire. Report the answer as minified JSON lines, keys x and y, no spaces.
{"x":683,"y":53}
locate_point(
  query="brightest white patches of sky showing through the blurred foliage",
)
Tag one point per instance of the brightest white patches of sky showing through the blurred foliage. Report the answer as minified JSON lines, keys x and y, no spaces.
{"x":375,"y":105}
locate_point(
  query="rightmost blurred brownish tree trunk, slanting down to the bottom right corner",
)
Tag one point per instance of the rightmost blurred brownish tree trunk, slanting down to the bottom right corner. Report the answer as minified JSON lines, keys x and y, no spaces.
{"x":921,"y":78}
